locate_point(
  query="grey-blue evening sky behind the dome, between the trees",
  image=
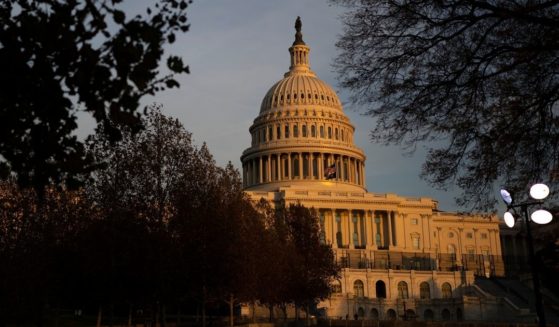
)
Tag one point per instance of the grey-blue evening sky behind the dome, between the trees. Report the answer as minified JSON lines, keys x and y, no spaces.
{"x":237,"y":49}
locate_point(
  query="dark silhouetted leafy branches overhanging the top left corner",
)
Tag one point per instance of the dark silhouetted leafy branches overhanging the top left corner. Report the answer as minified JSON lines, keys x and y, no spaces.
{"x":61,"y":57}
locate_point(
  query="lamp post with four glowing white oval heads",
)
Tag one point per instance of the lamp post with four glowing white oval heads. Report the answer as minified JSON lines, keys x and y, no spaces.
{"x":538,"y":192}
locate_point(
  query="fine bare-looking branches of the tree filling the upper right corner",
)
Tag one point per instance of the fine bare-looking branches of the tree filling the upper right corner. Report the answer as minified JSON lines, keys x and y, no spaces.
{"x":477,"y":78}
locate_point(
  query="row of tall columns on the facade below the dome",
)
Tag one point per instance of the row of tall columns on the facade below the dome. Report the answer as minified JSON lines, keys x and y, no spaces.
{"x":358,"y":229}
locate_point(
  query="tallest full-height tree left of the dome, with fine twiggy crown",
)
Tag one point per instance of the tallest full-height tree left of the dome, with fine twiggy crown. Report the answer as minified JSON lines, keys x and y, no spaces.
{"x":136,"y":193}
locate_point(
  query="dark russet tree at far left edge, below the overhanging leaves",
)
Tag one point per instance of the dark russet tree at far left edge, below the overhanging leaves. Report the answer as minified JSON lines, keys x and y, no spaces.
{"x":39,"y":261}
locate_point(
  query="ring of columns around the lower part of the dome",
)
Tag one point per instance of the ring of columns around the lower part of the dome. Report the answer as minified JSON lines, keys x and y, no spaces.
{"x":292,"y":166}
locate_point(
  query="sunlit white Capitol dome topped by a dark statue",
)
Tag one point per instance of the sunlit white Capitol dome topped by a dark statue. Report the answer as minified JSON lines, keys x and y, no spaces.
{"x":301,"y":136}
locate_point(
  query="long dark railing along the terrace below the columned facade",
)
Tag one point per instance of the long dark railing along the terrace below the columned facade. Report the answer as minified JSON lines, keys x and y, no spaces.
{"x":481,"y":265}
